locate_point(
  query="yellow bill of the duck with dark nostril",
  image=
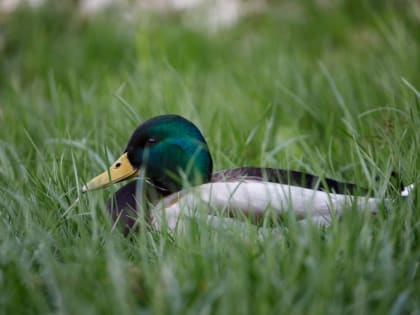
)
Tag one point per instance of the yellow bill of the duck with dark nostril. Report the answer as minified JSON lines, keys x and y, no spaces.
{"x":120,"y":170}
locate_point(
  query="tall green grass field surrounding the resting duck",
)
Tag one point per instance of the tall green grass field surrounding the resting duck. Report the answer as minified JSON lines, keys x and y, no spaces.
{"x":329,"y":89}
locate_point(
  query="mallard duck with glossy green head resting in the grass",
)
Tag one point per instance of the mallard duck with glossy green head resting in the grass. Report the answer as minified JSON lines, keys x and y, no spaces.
{"x":171,"y":162}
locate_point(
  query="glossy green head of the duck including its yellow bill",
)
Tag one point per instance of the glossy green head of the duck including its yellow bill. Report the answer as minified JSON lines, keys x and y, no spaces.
{"x":169,"y":149}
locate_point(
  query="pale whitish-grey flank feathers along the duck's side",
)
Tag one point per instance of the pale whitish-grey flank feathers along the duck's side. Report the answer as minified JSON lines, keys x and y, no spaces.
{"x":253,"y":198}
